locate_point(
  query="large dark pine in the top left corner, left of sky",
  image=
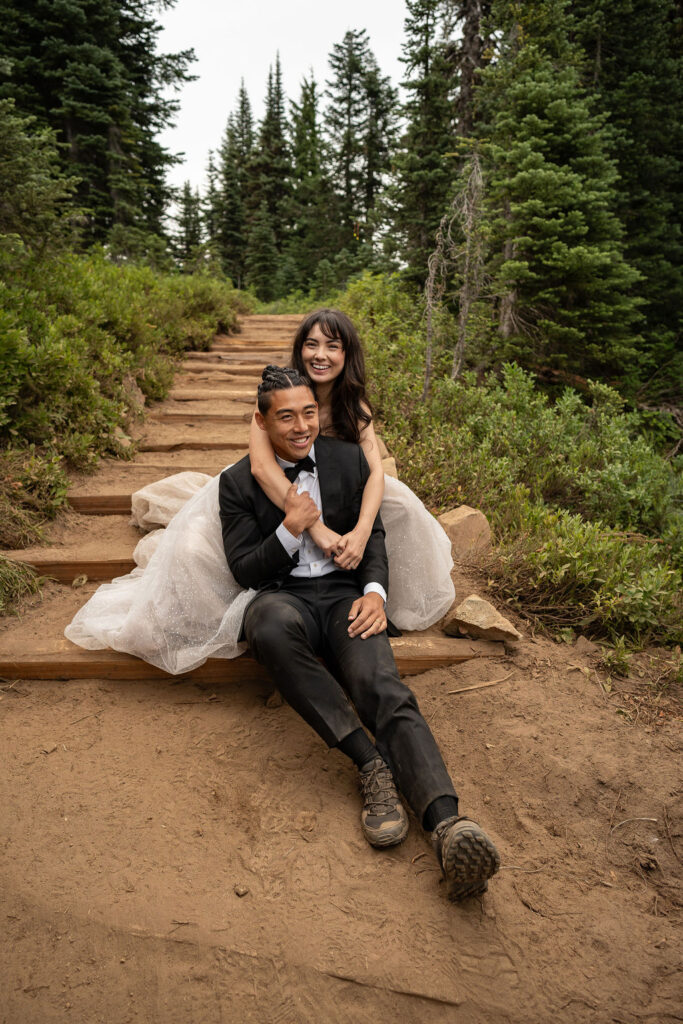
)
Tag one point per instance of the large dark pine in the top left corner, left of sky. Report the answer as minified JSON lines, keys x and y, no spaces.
{"x":89,"y":69}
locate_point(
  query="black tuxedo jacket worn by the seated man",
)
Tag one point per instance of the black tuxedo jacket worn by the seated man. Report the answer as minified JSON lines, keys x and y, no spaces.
{"x":249,"y":520}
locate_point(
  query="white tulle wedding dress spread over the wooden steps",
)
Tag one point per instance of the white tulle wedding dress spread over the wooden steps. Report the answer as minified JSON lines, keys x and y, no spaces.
{"x":182,"y":605}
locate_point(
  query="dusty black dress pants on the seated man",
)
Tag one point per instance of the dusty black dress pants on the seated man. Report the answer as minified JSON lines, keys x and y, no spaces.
{"x":289,"y":629}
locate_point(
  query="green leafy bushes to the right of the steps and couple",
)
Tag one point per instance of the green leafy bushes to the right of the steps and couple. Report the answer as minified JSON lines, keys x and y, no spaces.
{"x":587,"y":515}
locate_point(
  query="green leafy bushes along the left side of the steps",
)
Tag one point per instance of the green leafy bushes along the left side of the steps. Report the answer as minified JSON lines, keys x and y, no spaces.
{"x":82,"y":340}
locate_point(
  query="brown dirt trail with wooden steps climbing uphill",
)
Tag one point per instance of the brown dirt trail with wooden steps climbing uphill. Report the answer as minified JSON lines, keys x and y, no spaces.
{"x":138,"y":812}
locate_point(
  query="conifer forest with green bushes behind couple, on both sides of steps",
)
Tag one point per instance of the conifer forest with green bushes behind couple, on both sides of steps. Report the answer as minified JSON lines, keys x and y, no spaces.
{"x":505,"y":221}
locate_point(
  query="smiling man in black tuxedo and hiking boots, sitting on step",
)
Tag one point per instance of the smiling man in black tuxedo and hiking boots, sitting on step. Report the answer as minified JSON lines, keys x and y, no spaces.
{"x":307,"y":608}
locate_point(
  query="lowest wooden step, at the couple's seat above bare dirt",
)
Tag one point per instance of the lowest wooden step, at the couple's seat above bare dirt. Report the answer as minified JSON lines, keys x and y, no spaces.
{"x":70,"y":662}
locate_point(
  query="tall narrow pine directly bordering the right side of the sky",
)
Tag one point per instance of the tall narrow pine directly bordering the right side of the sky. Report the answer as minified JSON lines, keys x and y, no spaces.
{"x":424,"y":164}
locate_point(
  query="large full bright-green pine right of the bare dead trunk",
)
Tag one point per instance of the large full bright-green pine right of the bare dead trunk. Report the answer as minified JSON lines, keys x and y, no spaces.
{"x":564,"y":286}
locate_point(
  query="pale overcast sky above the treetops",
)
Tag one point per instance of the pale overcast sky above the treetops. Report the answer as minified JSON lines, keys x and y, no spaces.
{"x":240,"y":40}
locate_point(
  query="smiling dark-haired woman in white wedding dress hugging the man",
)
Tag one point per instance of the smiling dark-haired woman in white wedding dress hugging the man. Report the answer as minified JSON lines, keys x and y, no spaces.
{"x":183,"y":606}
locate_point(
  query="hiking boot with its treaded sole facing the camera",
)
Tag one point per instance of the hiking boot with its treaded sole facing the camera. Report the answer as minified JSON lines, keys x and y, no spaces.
{"x":467,"y":857}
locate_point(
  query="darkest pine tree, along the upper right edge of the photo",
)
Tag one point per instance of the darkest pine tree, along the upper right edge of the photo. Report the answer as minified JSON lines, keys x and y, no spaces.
{"x":635,"y":63}
